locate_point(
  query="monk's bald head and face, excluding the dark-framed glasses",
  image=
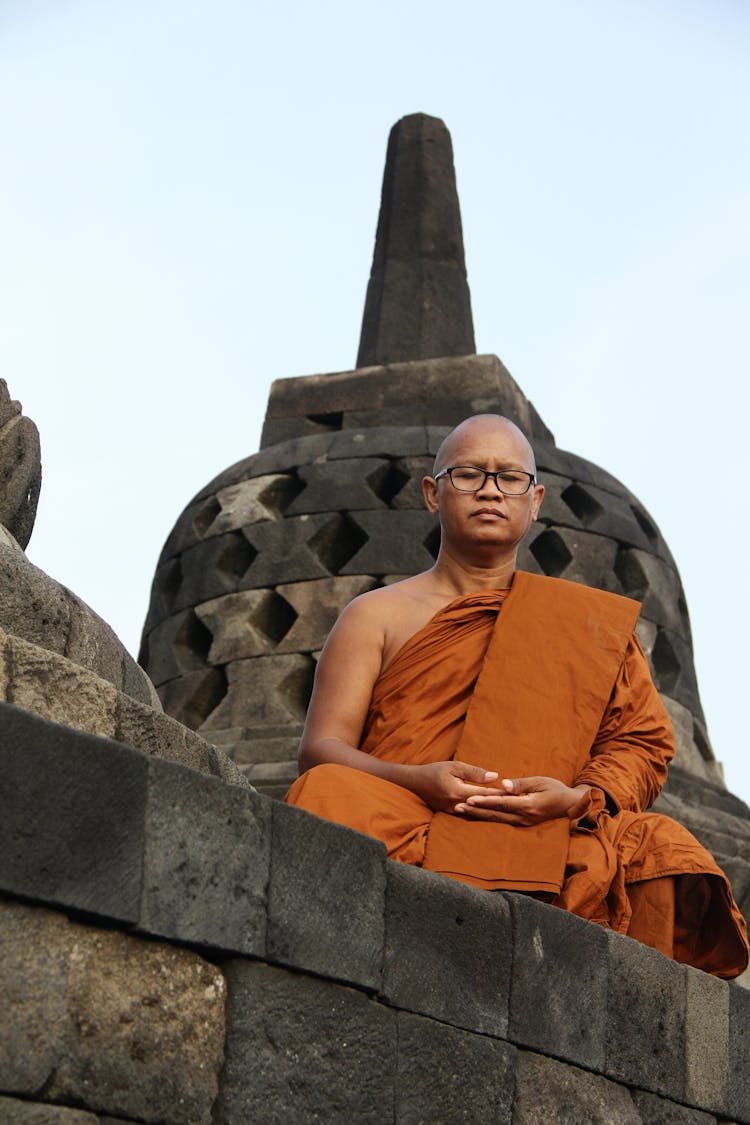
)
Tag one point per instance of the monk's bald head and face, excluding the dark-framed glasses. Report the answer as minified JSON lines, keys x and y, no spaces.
{"x":486,"y":518}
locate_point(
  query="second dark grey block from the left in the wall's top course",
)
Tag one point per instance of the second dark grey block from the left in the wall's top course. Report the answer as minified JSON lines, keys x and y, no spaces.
{"x":206,"y":861}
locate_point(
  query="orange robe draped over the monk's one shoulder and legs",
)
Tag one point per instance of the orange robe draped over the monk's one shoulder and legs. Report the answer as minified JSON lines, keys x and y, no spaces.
{"x":555,"y":686}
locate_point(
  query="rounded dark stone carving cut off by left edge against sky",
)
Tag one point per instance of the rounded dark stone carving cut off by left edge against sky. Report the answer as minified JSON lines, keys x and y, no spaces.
{"x":21,"y":469}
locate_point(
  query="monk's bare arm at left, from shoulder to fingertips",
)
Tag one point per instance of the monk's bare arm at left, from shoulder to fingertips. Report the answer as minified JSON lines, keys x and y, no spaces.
{"x":348,"y":669}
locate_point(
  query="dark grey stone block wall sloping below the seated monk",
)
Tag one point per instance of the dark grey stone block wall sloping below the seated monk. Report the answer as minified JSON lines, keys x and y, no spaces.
{"x":178,"y":949}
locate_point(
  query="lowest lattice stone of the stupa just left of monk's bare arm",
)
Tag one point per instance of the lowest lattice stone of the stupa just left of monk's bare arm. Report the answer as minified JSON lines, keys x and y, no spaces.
{"x":270,"y":690}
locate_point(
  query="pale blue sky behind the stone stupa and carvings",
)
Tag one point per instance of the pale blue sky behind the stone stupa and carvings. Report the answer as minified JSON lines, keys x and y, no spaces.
{"x":188,"y":205}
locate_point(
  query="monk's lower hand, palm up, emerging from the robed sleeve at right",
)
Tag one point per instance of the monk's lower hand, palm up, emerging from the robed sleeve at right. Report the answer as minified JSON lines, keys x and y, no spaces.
{"x":525,"y":802}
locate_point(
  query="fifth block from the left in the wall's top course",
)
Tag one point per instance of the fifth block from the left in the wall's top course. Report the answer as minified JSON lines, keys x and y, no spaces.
{"x":559,"y":983}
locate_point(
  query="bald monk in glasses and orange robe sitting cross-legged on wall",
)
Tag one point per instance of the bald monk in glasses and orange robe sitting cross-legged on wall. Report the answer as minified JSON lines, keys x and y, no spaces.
{"x":503,"y":730}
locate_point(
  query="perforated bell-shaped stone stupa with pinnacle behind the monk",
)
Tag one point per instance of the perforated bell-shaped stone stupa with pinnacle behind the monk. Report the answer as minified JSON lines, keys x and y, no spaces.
{"x":265,"y":557}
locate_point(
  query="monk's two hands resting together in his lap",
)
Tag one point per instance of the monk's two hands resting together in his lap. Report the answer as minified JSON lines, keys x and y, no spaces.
{"x":476,"y":794}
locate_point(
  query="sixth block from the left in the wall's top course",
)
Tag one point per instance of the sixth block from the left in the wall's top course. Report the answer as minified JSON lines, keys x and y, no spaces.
{"x":646,"y":1033}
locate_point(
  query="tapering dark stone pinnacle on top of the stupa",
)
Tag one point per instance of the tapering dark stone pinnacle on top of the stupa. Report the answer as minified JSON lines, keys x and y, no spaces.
{"x":418,"y":304}
